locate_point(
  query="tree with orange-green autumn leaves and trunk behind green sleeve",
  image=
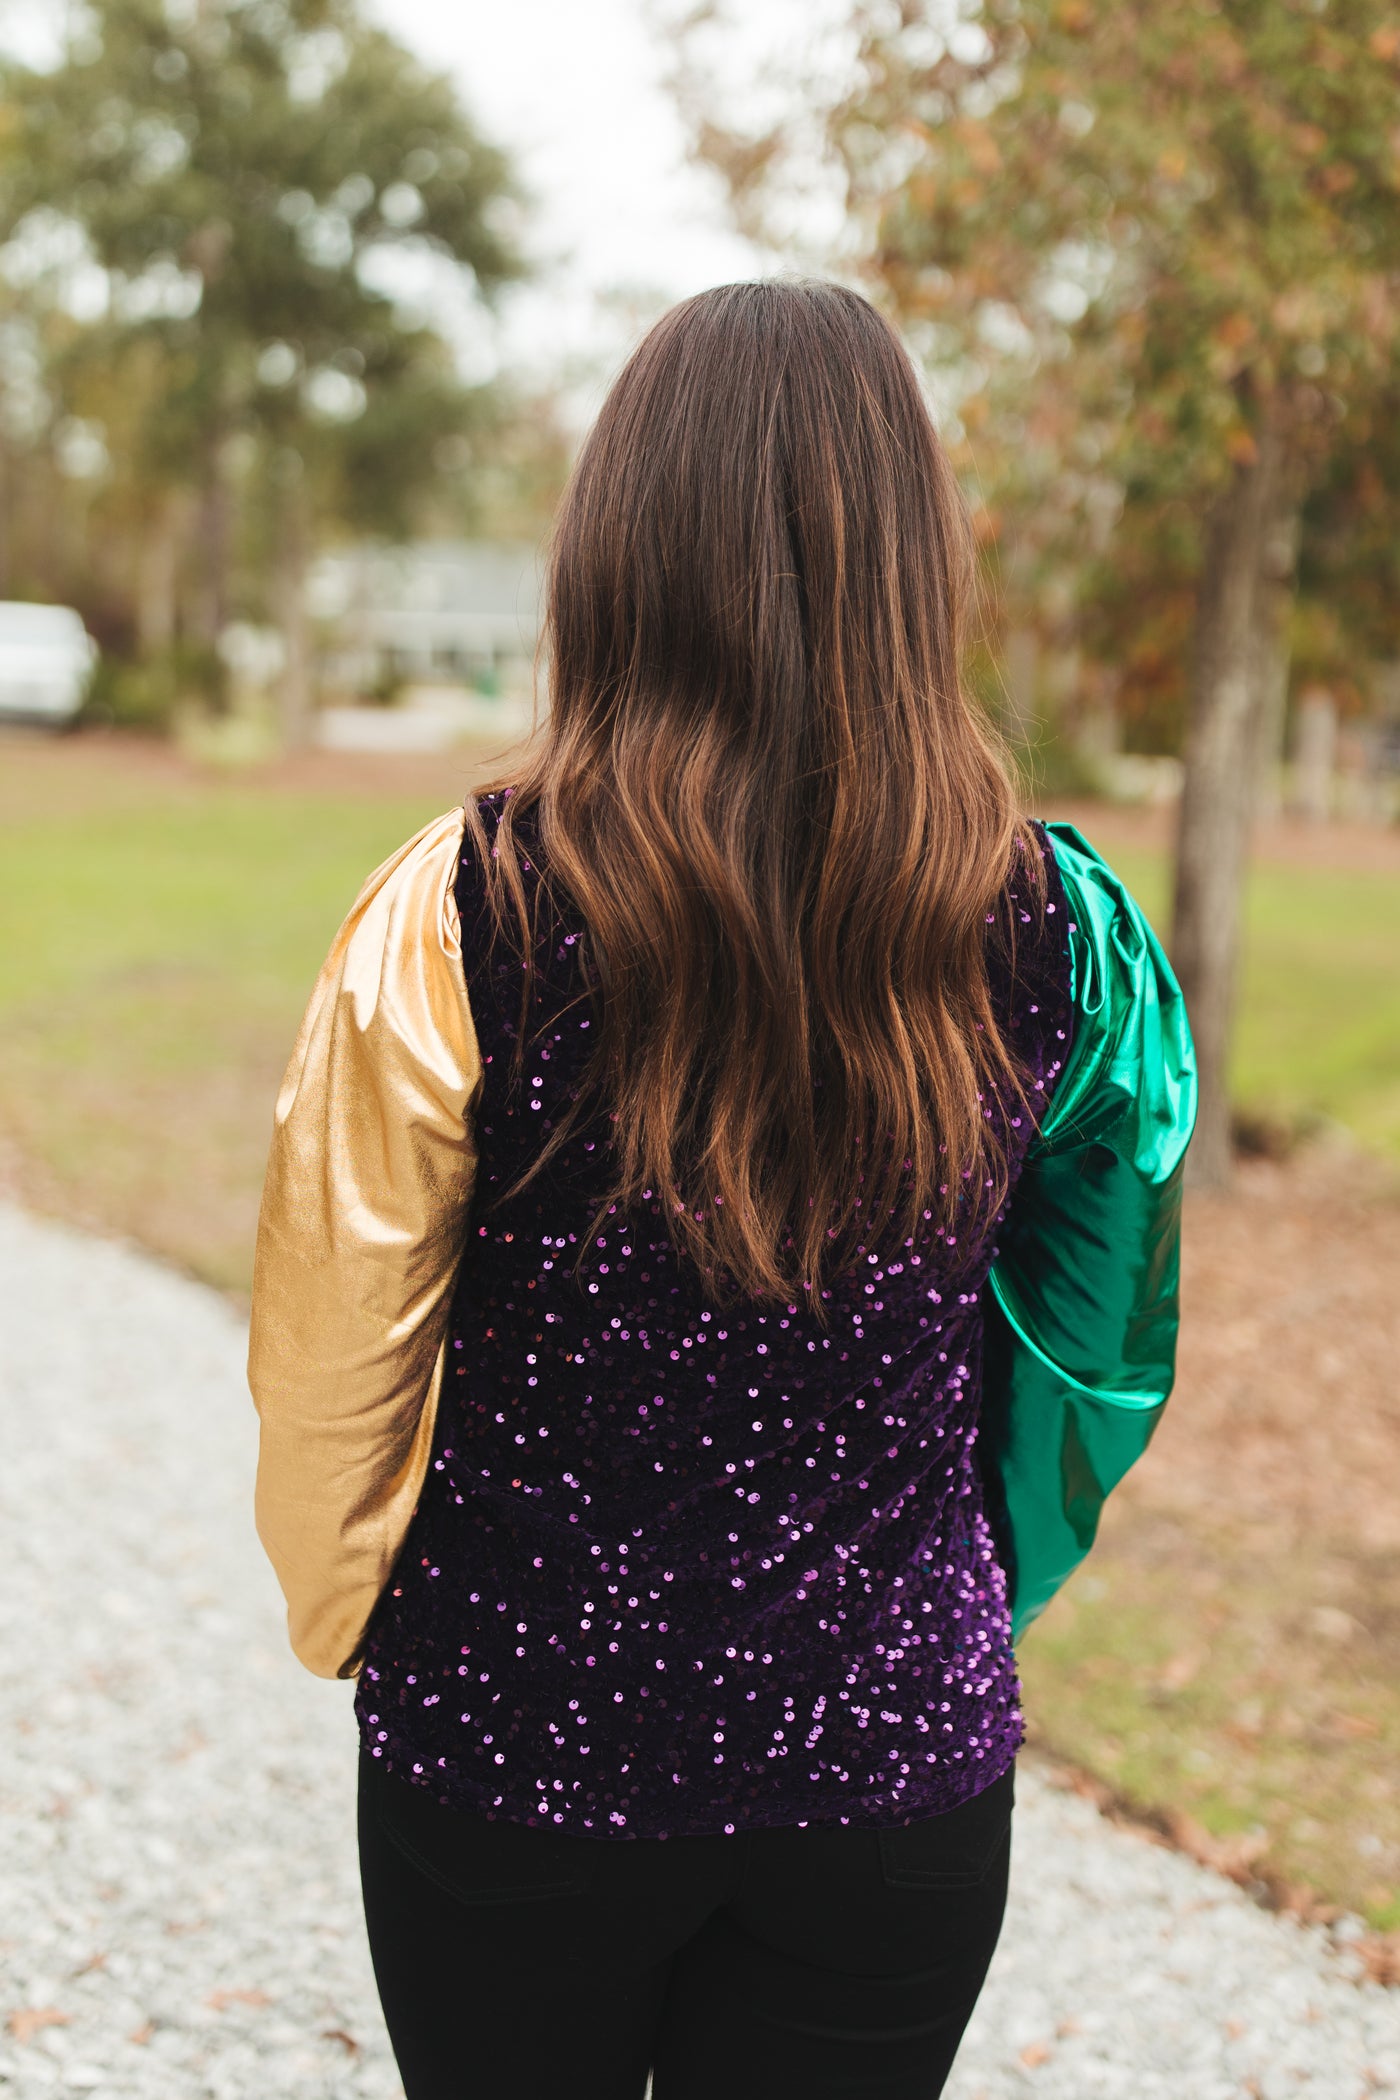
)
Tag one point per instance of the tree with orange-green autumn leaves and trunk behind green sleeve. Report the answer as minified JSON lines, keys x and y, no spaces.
{"x":1164,"y":240}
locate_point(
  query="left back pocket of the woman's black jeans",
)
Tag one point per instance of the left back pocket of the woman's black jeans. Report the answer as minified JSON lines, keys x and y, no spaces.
{"x":475,"y":1860}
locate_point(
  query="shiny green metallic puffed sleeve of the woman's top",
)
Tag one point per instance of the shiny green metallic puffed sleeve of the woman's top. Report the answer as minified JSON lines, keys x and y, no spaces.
{"x":1082,"y":1316}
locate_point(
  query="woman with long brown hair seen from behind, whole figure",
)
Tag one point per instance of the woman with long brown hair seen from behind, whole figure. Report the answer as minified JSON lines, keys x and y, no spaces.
{"x":719,"y":1251}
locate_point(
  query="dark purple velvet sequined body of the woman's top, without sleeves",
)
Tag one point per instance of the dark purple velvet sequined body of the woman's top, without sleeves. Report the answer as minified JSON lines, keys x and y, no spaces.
{"x":681,"y":1570}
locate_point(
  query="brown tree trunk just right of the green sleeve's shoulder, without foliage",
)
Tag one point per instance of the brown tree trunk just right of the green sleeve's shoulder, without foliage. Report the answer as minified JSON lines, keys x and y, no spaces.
{"x":1237,"y":627}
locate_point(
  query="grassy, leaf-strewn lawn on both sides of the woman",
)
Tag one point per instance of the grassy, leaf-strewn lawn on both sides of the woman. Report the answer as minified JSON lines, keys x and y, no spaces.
{"x":1233,"y":1650}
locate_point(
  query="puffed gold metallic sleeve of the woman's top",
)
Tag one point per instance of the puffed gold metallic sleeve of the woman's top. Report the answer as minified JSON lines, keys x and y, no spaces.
{"x":362,"y":1230}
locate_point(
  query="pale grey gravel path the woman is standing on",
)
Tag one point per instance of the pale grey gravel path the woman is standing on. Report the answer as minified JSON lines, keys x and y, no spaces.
{"x":179,"y":1912}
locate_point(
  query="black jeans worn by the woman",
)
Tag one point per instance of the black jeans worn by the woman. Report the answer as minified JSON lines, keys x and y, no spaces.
{"x":790,"y":1965}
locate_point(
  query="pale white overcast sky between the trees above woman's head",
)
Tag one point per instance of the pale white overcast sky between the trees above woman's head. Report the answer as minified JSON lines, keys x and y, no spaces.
{"x":574,"y":89}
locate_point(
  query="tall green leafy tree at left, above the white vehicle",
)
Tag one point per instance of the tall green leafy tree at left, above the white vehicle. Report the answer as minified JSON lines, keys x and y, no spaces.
{"x":245,"y":173}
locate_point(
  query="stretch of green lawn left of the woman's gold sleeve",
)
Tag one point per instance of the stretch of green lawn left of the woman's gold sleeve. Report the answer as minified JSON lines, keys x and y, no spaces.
{"x":156,"y":952}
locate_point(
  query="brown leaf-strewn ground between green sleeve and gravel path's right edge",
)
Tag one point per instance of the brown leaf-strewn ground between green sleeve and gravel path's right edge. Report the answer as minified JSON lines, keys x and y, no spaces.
{"x":1229,"y":1660}
